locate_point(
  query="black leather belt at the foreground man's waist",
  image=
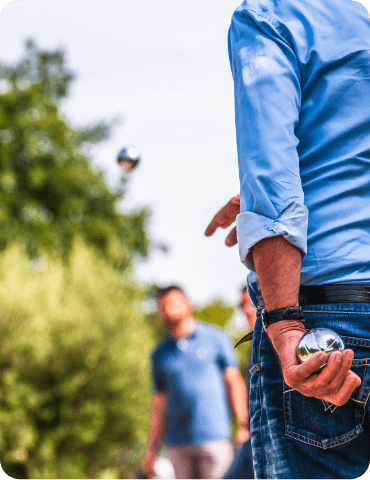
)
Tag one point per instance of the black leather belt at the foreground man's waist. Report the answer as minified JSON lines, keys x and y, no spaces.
{"x":334,"y":293}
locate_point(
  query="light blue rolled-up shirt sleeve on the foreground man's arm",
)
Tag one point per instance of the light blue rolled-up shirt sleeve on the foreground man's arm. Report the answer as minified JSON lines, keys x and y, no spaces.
{"x":267,"y":106}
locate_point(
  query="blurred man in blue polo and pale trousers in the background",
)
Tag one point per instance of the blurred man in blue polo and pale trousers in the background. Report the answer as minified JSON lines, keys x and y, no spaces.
{"x":194,"y":372}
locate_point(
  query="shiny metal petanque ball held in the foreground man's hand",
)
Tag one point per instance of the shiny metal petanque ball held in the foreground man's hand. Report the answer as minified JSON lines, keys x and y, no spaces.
{"x":319,"y":339}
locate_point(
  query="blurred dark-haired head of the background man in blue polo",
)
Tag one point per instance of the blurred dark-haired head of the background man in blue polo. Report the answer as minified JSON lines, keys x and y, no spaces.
{"x":173,"y":305}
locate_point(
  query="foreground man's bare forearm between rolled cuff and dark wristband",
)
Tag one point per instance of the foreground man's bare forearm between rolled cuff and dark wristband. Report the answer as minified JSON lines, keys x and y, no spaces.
{"x":278,"y":266}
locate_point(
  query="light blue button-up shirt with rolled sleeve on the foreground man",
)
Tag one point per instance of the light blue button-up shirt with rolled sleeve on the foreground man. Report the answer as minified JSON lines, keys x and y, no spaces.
{"x":302,"y":102}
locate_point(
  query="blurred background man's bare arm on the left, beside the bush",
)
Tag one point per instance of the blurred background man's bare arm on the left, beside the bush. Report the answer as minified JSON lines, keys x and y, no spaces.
{"x":156,"y":430}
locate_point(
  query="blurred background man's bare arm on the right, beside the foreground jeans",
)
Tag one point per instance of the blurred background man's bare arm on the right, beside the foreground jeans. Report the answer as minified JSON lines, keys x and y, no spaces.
{"x":238,"y":395}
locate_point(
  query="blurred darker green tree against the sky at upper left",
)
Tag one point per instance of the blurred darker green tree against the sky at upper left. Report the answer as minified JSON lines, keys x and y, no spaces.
{"x":49,"y":192}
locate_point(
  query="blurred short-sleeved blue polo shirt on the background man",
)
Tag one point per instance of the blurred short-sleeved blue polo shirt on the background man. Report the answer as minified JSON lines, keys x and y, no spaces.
{"x":190,"y":372}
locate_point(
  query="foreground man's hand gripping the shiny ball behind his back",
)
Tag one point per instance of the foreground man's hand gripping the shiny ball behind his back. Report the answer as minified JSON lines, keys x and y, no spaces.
{"x":334,"y":384}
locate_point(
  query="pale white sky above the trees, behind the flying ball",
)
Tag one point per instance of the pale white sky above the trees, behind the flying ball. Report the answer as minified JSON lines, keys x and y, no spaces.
{"x":163,"y":67}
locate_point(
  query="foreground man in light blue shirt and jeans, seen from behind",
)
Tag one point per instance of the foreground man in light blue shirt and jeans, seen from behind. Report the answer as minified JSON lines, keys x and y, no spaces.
{"x":301,"y":72}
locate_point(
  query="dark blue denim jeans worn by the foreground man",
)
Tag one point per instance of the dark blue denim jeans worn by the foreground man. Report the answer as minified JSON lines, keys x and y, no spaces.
{"x":297,"y":437}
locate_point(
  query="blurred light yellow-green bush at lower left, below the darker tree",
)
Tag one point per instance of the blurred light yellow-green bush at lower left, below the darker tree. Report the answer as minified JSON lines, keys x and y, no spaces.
{"x":74,"y":367}
